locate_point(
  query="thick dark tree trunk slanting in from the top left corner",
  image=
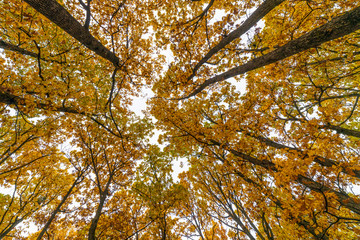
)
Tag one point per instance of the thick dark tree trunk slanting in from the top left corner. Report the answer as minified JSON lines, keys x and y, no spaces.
{"x":61,"y":17}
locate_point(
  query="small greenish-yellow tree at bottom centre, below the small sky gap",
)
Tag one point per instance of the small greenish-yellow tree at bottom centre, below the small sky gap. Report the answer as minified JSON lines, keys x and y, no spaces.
{"x":155,"y":187}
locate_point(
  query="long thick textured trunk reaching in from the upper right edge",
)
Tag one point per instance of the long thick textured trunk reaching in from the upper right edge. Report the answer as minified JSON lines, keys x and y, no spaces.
{"x":336,"y":28}
